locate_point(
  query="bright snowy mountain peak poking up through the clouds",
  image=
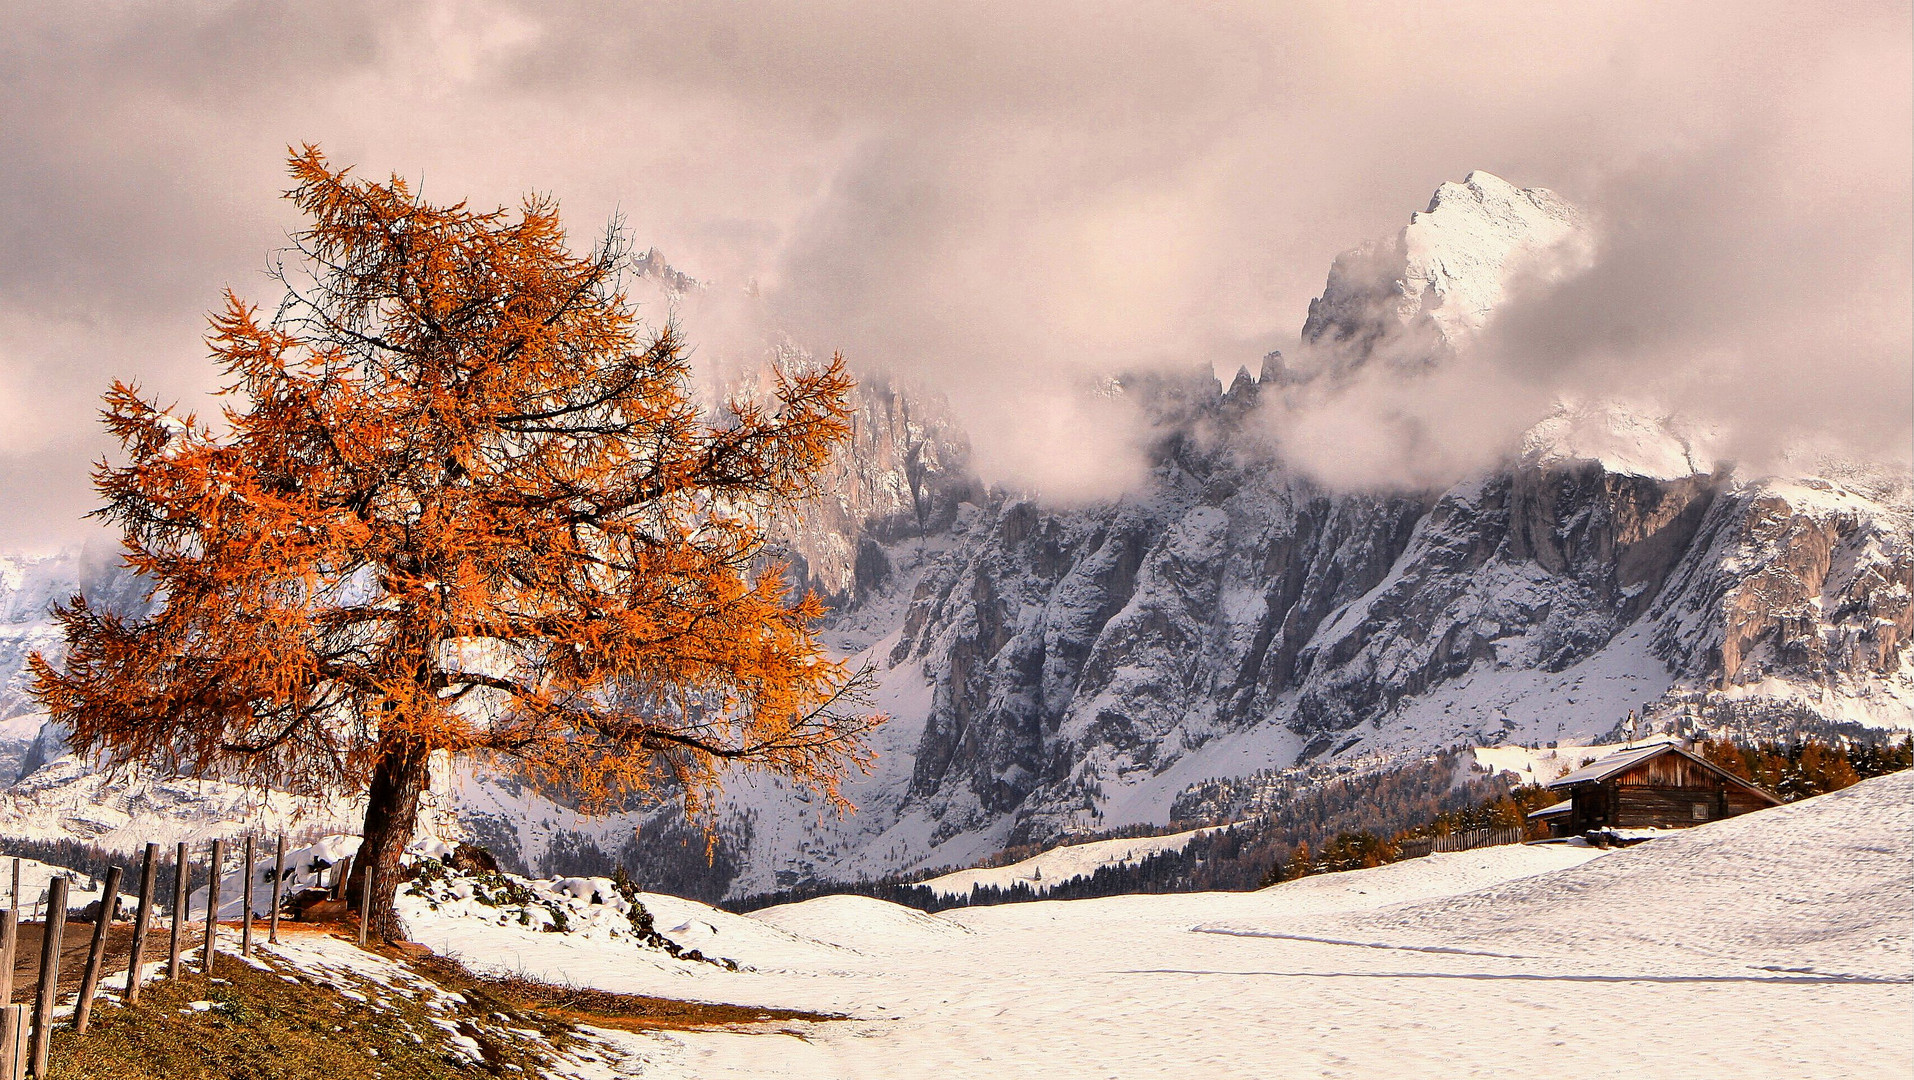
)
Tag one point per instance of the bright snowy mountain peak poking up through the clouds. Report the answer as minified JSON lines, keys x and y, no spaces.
{"x":1415,"y":298}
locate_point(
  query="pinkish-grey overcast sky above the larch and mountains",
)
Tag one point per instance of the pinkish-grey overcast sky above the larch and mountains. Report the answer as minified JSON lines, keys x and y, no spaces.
{"x":1000,"y":200}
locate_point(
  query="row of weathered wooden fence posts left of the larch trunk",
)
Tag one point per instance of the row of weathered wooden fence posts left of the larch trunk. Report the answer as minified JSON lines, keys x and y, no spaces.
{"x":26,"y":1031}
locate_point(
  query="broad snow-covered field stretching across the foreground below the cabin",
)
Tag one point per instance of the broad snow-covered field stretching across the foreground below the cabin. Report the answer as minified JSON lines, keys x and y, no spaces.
{"x":1773,"y":945}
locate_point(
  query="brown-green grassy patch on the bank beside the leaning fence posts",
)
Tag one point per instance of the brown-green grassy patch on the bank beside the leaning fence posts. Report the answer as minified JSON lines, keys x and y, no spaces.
{"x":286,"y":1025}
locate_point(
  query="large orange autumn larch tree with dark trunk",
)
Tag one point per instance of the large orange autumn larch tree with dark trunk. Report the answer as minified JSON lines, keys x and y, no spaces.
{"x":460,"y":501}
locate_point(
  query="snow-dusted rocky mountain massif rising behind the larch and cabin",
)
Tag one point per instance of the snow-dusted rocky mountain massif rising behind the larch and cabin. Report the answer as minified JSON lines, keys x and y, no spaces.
{"x":1071,"y":669}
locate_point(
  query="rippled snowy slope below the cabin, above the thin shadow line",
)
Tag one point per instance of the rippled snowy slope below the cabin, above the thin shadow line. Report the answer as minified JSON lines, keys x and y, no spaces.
{"x":1823,"y":886}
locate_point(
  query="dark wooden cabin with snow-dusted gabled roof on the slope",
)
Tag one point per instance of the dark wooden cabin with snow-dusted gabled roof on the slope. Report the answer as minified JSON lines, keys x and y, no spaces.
{"x":1660,"y":786}
